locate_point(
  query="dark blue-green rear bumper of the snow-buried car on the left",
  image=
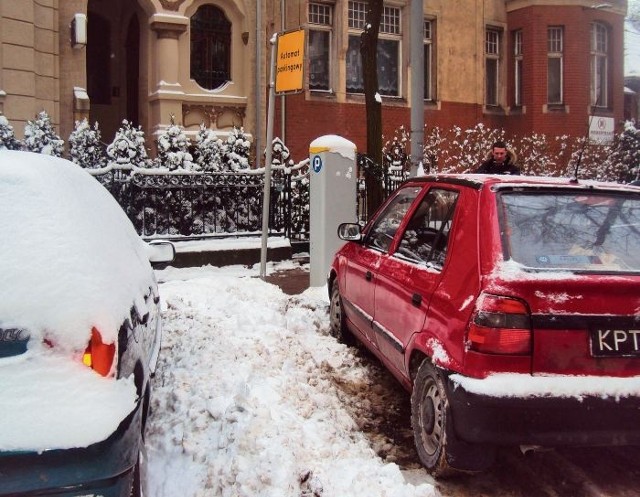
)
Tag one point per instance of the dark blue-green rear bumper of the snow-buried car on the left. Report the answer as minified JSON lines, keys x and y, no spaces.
{"x":105,"y":468}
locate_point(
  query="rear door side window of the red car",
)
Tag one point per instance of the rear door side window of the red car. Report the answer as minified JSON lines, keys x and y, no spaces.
{"x":427,"y":235}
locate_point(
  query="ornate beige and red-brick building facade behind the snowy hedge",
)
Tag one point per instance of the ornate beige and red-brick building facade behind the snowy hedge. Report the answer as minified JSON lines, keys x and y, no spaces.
{"x":522,"y":65}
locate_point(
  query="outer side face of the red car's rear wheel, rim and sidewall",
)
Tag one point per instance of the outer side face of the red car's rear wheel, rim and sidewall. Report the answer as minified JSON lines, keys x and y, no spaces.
{"x":429,"y":419}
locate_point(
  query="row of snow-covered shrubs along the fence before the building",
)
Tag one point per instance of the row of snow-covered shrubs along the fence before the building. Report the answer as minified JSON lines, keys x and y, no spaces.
{"x":445,"y":150}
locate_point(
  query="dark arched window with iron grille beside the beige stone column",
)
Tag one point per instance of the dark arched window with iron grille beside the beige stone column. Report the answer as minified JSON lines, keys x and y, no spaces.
{"x":210,"y":47}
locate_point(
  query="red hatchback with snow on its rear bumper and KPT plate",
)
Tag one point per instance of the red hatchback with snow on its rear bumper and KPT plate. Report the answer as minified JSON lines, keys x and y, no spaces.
{"x":508,"y":306}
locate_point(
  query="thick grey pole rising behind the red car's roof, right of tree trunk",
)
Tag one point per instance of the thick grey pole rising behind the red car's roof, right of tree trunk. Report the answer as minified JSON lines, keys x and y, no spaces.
{"x":417,"y":85}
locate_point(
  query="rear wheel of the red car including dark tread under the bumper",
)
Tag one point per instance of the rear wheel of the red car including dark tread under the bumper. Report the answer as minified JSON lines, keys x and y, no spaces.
{"x":440,"y":451}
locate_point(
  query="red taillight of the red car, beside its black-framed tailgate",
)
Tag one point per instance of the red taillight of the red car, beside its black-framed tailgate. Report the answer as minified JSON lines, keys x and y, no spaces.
{"x":500,"y":325}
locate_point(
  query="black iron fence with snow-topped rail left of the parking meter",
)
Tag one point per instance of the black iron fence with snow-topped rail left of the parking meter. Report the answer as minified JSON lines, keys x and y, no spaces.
{"x":177,"y":204}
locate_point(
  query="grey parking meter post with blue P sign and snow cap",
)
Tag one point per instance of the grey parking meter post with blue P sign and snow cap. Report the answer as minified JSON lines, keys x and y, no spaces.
{"x":333,"y":198}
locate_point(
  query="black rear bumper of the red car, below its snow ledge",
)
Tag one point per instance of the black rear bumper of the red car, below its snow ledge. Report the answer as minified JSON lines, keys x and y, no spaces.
{"x":581,"y":420}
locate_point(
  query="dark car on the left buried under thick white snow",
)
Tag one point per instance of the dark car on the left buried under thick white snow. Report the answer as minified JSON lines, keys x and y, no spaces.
{"x":80,"y":332}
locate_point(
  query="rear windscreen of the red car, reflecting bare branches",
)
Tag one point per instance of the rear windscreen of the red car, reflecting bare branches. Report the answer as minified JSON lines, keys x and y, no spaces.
{"x":590,"y":231}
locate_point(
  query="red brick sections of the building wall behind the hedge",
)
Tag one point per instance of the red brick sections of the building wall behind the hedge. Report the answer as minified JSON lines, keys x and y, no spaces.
{"x":309,"y":116}
